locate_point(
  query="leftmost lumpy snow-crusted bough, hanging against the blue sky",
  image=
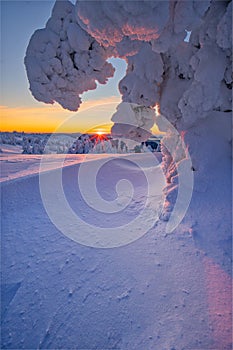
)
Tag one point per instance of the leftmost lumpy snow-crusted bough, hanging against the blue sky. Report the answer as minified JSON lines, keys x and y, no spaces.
{"x":63,"y":61}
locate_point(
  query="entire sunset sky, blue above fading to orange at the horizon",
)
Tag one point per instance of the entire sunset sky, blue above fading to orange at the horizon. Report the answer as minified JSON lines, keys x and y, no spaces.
{"x":19,"y":110}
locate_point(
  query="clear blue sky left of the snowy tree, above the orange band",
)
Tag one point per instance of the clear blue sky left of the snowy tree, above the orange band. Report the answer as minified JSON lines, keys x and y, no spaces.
{"x":19,"y":19}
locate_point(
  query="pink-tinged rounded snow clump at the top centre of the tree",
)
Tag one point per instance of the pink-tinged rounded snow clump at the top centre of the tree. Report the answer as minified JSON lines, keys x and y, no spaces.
{"x":111,"y":21}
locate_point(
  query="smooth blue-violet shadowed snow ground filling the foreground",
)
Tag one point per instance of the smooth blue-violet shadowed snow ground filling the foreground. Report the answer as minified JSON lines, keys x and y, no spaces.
{"x":160,"y":292}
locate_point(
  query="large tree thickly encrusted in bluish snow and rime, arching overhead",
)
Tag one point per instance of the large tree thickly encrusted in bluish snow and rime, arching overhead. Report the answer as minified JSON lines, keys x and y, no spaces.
{"x":191,"y":81}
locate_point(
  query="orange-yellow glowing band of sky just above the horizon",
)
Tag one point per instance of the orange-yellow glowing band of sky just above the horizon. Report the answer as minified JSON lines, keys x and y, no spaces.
{"x":93,"y":116}
